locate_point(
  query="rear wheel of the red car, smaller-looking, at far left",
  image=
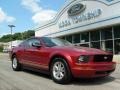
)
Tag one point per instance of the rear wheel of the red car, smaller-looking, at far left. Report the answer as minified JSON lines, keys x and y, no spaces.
{"x":16,"y":66}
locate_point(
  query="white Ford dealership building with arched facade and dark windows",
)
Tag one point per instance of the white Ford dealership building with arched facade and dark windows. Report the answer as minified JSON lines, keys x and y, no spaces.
{"x":90,"y":23}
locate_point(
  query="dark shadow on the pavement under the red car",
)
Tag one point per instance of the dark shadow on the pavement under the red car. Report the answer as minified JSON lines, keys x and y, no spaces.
{"x":75,"y":81}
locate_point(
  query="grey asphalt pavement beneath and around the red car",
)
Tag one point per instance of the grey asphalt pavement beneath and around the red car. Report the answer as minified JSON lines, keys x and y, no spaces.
{"x":29,"y":80}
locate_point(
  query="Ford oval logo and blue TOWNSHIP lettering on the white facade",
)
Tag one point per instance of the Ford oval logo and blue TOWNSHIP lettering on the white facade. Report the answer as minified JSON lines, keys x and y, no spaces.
{"x":79,"y":18}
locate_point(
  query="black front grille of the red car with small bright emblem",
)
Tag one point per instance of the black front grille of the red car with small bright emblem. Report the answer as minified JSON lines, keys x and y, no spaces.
{"x":103,"y":58}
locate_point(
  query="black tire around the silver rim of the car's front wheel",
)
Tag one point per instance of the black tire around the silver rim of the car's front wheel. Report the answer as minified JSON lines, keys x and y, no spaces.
{"x":67,"y":73}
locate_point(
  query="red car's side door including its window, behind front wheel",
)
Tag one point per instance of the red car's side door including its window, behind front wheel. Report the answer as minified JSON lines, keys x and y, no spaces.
{"x":33,"y":55}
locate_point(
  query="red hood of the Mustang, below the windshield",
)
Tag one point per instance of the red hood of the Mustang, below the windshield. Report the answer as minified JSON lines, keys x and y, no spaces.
{"x":82,"y":50}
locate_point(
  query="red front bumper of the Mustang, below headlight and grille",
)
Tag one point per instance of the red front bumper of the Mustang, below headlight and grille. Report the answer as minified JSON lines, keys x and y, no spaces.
{"x":92,"y":70}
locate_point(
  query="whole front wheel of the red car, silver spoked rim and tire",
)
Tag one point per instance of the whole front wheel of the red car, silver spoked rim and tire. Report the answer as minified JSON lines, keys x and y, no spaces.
{"x":60,"y":71}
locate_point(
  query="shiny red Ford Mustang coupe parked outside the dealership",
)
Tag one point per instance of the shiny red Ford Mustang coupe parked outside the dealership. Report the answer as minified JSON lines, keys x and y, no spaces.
{"x":61,"y":59}
